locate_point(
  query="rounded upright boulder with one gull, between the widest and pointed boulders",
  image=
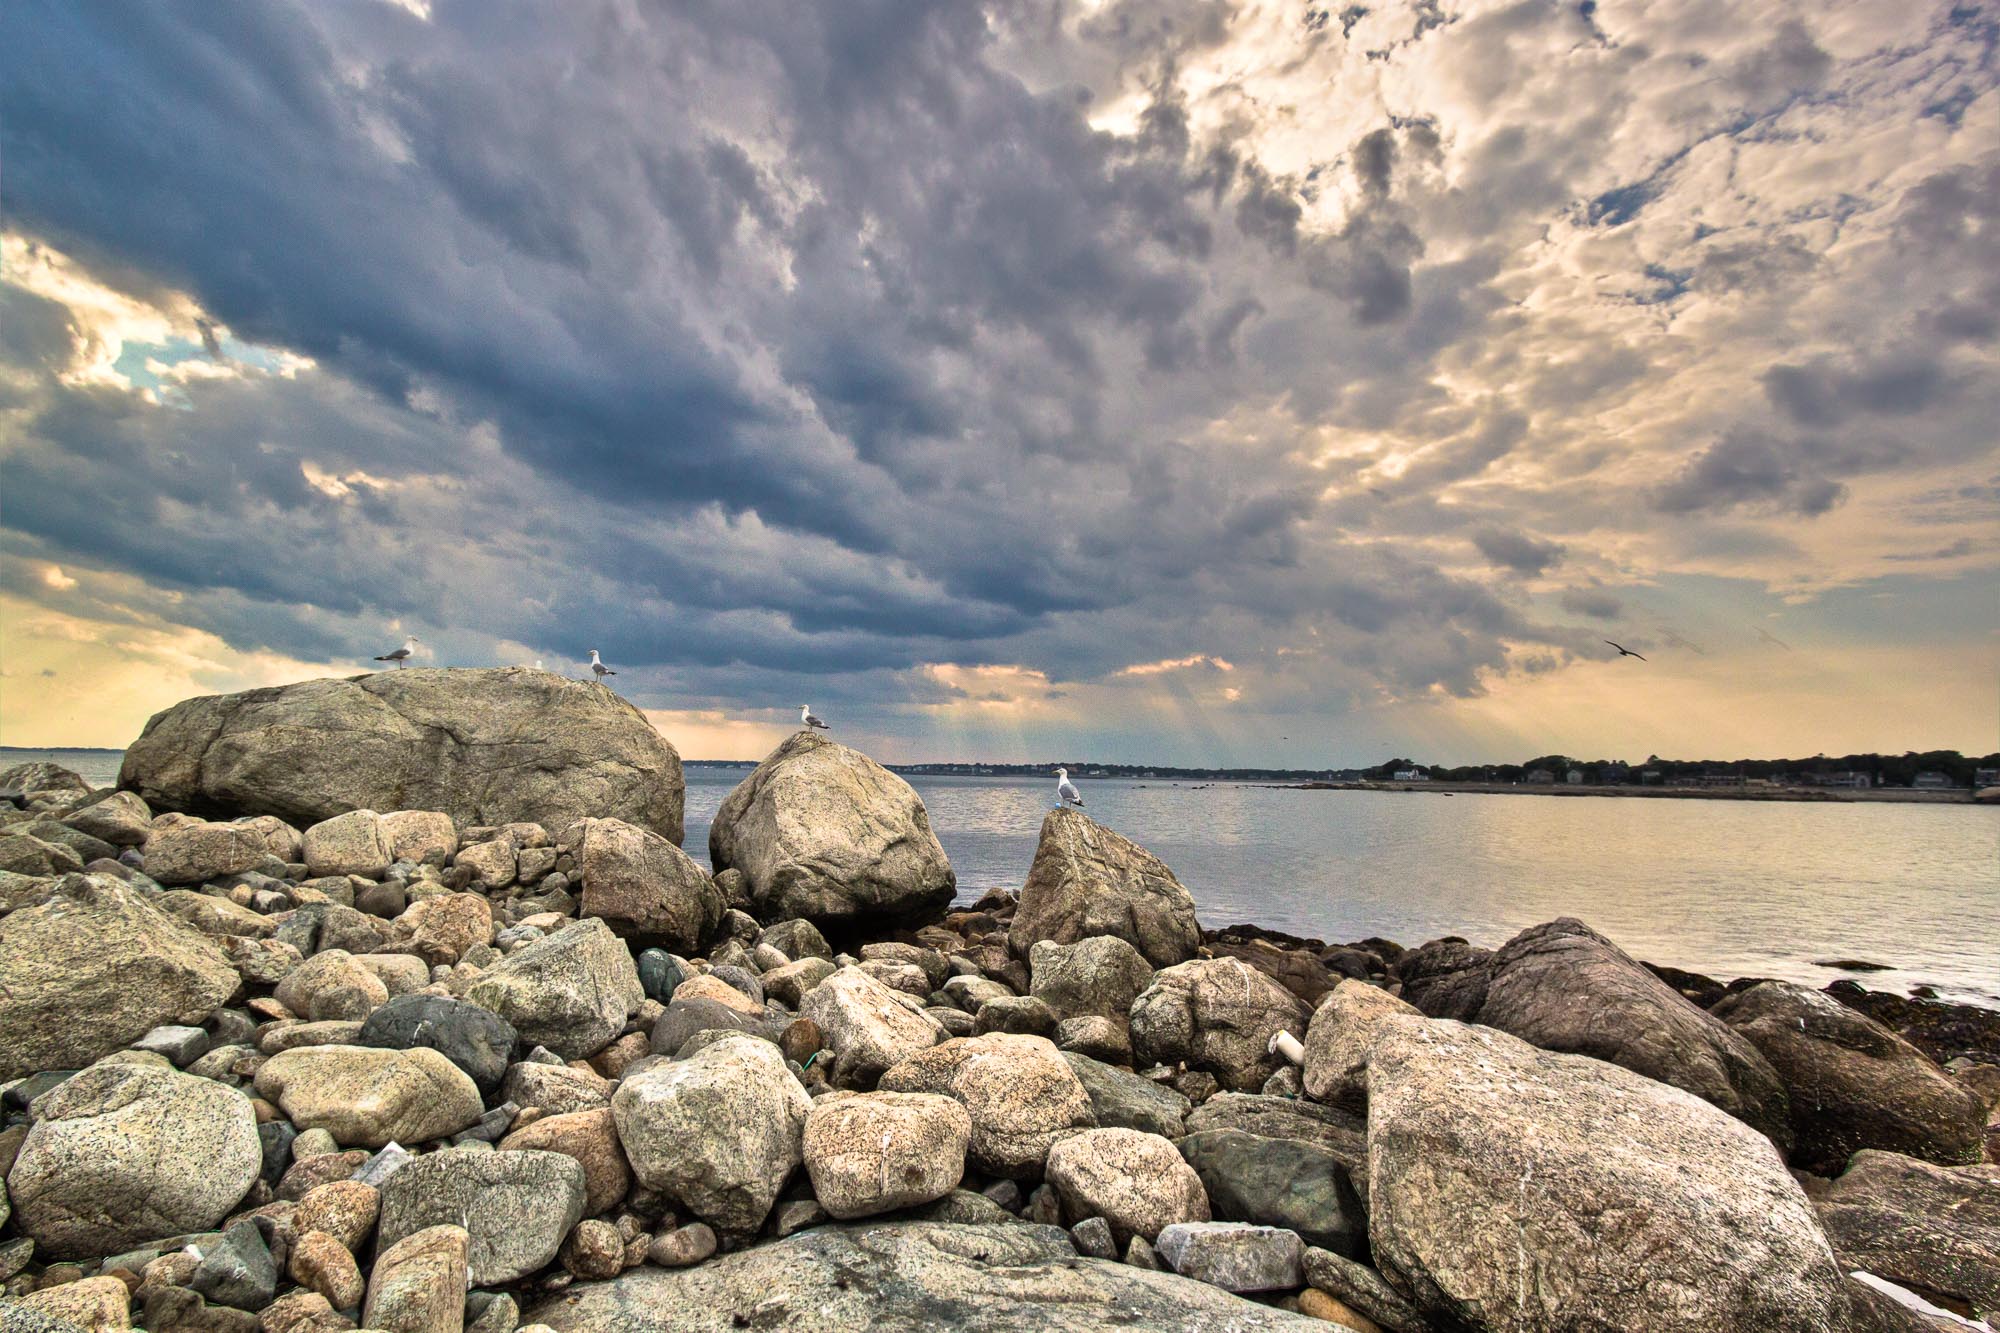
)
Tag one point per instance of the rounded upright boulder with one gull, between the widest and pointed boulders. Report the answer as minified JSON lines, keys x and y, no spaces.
{"x":831,"y":836}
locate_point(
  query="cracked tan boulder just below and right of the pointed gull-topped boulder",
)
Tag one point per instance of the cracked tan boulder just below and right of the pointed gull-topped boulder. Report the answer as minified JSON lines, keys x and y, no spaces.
{"x":1219,"y":1016}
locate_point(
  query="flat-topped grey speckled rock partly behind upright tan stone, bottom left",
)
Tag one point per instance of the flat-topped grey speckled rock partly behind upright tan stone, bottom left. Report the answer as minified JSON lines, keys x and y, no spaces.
{"x":515,"y":1204}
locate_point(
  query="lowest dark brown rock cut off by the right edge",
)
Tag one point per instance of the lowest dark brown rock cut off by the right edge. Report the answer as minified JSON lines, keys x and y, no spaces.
{"x":1935,"y":1230}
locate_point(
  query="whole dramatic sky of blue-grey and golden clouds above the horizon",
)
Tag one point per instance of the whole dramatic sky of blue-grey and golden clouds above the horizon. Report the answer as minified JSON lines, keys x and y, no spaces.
{"x":1205,"y":381}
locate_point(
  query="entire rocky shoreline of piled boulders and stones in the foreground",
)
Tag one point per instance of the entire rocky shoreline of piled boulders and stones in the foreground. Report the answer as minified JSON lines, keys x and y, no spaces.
{"x":393,"y":1004}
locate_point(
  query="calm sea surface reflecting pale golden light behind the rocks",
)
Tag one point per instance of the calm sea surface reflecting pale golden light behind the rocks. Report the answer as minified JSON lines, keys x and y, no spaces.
{"x":1721,"y":888}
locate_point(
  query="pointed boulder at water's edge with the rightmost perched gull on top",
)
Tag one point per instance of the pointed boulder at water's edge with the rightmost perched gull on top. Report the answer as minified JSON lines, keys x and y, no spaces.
{"x":1091,"y":882}
